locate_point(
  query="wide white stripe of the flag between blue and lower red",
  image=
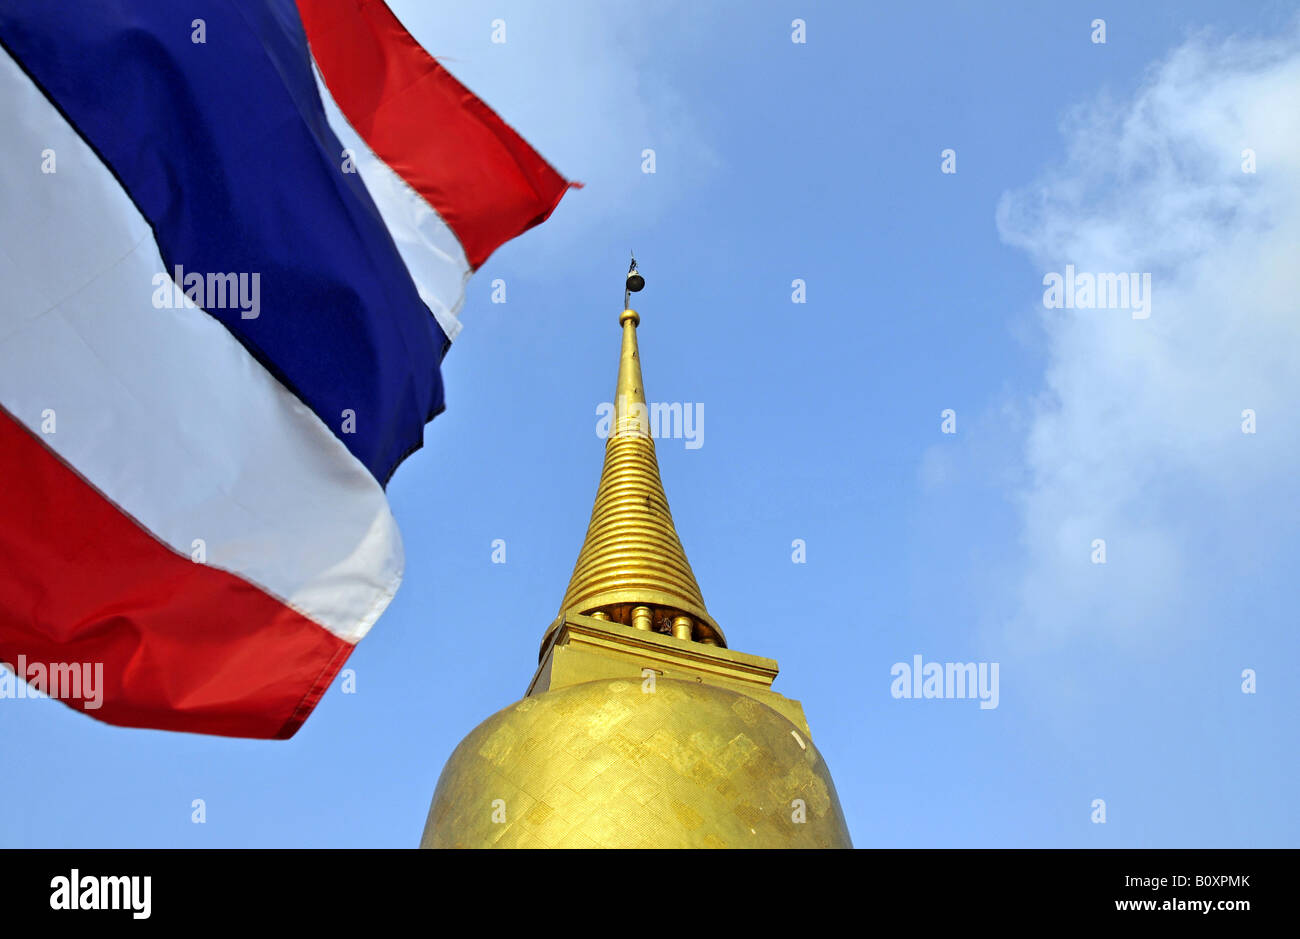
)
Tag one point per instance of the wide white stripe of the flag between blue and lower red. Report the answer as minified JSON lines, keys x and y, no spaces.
{"x":163,"y":410}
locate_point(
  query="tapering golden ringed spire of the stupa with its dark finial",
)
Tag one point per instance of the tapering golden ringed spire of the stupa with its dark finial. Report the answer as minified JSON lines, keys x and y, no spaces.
{"x":632,"y":568}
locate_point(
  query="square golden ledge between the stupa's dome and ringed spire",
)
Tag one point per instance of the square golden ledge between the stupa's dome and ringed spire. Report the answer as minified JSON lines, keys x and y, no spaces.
{"x":588,"y":650}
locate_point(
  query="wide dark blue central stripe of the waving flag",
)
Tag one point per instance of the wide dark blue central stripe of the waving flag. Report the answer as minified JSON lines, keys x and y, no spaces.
{"x":224,"y":148}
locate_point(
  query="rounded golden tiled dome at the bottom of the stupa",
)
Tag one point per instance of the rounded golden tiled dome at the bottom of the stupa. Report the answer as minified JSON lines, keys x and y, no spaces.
{"x":606,"y":765}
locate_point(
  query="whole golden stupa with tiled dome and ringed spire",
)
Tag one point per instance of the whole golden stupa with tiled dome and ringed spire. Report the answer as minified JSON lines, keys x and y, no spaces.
{"x":640,"y":728}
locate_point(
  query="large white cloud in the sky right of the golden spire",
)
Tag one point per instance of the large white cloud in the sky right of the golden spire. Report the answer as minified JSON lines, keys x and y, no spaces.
{"x":1137,"y":436}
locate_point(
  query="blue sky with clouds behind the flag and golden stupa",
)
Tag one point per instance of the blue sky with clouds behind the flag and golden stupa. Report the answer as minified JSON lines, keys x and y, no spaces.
{"x":821,"y":162}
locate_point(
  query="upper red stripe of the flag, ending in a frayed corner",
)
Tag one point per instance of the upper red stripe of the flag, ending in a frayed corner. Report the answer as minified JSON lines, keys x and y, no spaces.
{"x":486,"y":181}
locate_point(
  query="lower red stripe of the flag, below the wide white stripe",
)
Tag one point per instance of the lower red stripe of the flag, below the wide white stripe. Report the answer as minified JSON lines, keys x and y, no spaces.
{"x":184,"y":647}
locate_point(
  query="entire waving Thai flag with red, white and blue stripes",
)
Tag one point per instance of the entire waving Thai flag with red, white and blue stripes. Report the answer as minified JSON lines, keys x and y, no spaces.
{"x":235,"y":243}
